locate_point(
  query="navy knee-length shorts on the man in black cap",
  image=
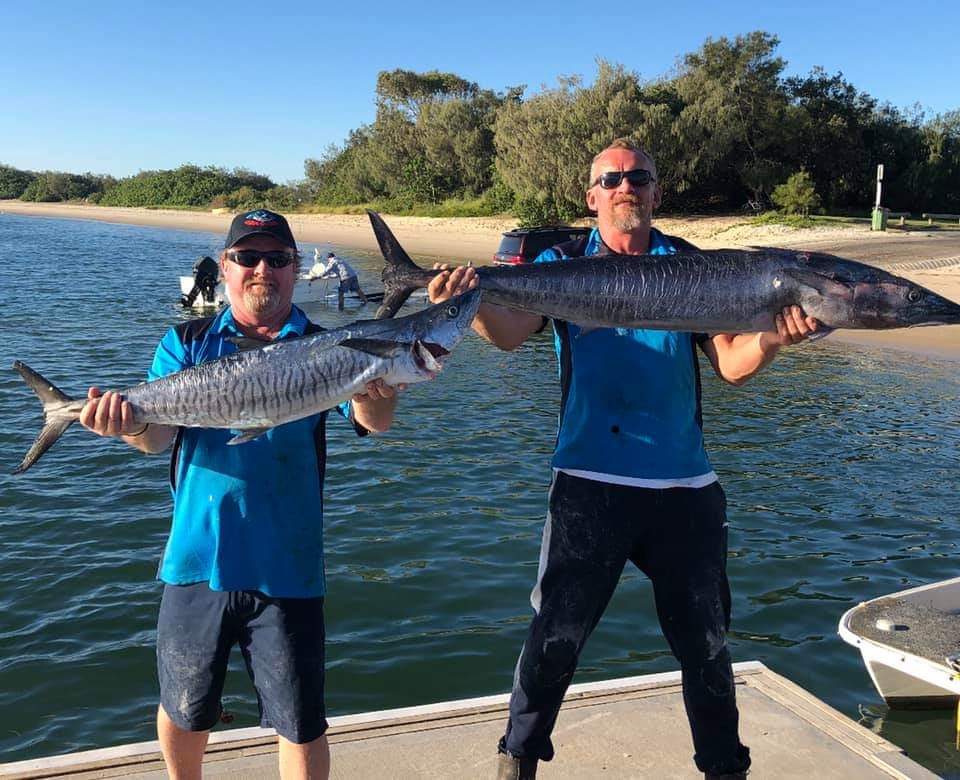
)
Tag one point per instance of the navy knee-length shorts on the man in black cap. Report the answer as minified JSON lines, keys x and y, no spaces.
{"x":282,"y":645}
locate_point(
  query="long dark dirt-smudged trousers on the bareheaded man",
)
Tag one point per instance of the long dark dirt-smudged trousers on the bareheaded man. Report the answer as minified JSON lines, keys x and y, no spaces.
{"x":678,"y":538}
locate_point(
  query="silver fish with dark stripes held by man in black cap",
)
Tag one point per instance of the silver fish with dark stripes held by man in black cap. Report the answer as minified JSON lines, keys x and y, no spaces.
{"x":260,"y":387}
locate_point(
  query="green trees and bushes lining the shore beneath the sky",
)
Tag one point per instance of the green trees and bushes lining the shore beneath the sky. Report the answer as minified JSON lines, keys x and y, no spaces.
{"x":727,"y":127}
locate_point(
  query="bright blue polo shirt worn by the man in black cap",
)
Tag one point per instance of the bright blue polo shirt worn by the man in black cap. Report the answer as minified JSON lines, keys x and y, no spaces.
{"x":246,"y":516}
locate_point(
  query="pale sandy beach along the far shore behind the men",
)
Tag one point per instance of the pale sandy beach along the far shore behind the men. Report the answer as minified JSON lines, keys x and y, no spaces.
{"x":476,"y":238}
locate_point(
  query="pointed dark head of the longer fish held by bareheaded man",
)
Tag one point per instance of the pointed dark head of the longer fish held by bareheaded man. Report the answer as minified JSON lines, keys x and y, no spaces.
{"x":847,"y":294}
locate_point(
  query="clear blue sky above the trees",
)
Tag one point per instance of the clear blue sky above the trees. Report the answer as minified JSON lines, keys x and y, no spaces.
{"x":117,"y":87}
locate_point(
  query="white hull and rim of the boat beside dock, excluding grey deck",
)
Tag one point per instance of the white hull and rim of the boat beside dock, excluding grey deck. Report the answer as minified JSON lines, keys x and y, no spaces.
{"x":904,"y":678}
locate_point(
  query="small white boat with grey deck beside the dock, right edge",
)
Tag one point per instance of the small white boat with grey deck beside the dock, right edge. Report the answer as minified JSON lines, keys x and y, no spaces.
{"x":910,"y":643}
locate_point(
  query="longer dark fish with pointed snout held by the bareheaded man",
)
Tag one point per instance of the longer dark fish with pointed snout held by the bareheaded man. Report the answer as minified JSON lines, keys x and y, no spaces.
{"x":716,"y":291}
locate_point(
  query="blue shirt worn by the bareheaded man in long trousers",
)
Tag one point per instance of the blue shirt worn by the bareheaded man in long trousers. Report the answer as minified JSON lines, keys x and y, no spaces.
{"x":630,"y":408}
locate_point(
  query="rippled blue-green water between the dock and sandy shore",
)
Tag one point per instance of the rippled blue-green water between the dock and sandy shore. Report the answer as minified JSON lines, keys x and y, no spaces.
{"x":840,"y":465}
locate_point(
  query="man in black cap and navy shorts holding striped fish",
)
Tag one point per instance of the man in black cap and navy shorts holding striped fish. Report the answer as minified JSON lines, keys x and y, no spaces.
{"x":244,"y":560}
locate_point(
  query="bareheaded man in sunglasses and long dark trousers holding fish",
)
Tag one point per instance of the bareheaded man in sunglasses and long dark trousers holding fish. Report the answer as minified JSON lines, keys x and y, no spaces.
{"x":631,"y":481}
